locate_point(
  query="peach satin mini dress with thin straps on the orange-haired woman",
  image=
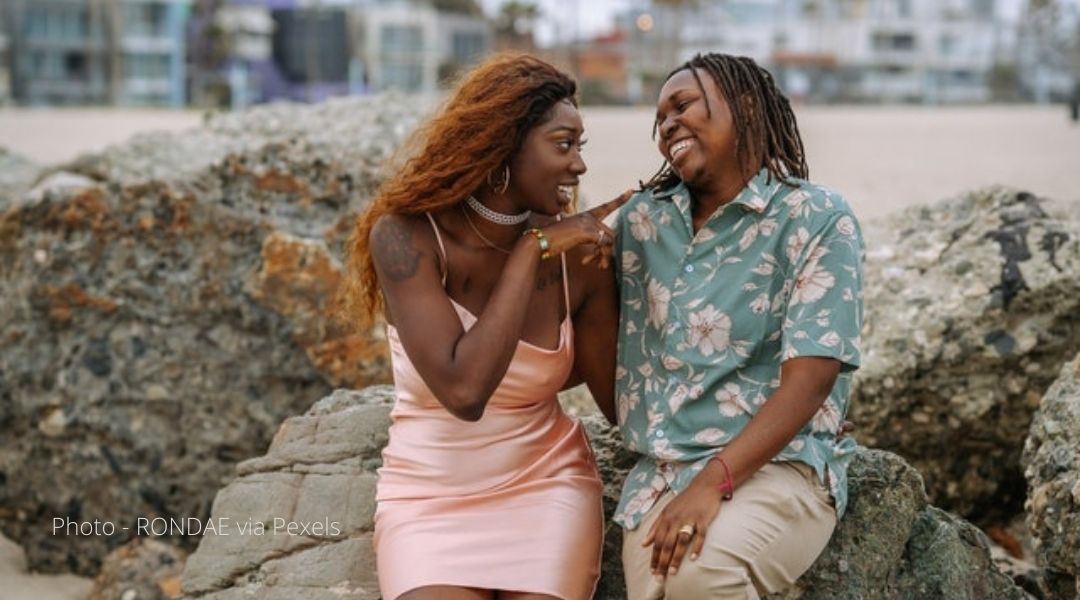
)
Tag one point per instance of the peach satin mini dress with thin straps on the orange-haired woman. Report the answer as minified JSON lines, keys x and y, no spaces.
{"x":511,"y":502}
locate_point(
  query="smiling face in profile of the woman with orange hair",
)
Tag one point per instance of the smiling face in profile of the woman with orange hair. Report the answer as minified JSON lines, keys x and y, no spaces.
{"x":549,"y":166}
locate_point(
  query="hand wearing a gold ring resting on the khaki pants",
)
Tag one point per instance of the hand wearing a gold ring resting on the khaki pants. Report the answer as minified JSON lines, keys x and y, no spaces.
{"x":682,"y":526}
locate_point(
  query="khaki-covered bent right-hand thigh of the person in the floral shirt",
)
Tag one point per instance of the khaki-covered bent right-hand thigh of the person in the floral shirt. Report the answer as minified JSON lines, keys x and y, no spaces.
{"x":777,"y":526}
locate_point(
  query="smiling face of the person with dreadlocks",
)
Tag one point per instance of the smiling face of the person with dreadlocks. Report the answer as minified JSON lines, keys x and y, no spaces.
{"x":697,"y":139}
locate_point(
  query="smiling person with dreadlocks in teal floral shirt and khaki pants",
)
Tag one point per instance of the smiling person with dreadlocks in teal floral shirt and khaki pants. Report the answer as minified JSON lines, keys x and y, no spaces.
{"x":740,"y":297}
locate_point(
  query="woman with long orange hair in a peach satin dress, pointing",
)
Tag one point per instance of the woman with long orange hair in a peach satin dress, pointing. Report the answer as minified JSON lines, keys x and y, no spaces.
{"x":494,"y":304}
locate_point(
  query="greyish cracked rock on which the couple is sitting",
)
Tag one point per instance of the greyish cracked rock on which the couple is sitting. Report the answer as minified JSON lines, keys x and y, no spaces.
{"x":320,"y":470}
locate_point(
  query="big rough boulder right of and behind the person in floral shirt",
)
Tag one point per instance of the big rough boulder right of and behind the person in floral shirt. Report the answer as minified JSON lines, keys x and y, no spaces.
{"x":971,"y":306}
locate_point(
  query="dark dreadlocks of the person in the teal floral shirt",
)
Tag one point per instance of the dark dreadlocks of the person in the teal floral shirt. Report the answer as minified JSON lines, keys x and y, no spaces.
{"x":765,"y":125}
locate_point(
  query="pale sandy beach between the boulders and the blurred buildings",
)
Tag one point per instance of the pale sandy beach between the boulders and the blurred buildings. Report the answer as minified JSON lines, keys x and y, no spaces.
{"x":882,"y":159}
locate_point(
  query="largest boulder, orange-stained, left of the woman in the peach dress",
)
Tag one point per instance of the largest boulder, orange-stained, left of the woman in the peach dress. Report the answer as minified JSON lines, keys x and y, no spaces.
{"x":167,"y":304}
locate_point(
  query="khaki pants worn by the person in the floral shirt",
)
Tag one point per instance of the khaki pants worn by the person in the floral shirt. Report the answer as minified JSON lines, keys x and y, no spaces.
{"x":760,"y":543}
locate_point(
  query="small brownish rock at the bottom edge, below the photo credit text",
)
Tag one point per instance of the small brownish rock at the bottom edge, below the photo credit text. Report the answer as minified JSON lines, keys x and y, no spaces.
{"x":144,"y":569}
